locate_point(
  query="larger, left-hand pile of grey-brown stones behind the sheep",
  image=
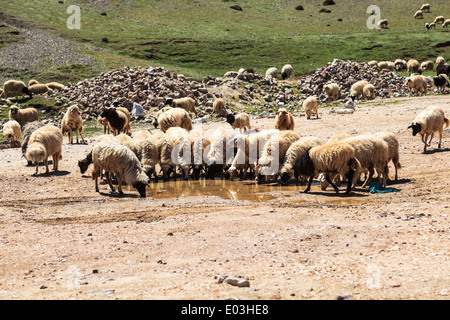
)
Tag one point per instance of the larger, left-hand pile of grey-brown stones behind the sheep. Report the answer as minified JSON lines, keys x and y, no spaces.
{"x":149,"y":88}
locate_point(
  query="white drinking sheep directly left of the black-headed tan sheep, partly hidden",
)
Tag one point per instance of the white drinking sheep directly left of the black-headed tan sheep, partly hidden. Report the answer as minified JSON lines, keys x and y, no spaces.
{"x":295,"y":150}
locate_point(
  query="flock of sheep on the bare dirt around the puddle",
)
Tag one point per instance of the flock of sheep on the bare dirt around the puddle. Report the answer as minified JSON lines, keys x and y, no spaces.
{"x":232,"y":149}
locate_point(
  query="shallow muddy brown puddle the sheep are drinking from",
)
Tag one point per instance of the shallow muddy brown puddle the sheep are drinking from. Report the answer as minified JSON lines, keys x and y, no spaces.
{"x":250,"y":191}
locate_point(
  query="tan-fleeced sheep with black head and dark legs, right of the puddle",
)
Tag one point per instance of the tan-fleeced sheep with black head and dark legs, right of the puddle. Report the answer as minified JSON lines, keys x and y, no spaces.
{"x":330,"y":158}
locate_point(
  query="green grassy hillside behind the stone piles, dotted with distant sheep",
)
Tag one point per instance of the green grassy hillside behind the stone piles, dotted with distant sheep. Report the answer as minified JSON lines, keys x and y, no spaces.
{"x":202,"y":37}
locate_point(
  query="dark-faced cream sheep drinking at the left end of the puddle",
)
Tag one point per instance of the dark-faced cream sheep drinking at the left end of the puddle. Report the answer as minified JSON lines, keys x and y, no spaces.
{"x":122,"y":162}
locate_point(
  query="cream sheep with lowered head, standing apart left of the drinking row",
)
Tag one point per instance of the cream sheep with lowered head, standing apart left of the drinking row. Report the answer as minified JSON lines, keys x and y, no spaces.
{"x":43,"y":143}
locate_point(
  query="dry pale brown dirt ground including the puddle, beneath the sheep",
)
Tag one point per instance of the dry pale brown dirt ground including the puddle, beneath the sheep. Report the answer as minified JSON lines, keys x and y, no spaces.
{"x":61,"y":240}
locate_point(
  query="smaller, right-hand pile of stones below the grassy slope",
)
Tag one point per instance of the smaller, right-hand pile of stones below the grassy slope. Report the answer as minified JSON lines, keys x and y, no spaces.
{"x":387,"y":83}
